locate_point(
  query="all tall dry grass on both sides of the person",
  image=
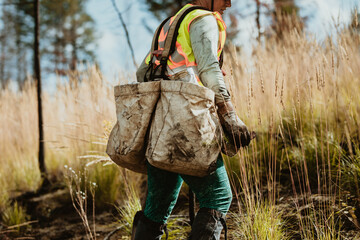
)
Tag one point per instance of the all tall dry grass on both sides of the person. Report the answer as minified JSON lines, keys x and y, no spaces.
{"x":300,"y":96}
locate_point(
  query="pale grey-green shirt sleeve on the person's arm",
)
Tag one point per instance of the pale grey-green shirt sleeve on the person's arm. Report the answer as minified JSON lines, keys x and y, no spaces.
{"x":204,"y":37}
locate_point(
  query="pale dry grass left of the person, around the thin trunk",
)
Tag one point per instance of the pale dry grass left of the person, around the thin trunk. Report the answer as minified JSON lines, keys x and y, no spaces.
{"x":74,"y":121}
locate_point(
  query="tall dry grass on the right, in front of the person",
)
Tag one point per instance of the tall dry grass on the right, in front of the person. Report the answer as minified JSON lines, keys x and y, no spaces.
{"x":301,"y":97}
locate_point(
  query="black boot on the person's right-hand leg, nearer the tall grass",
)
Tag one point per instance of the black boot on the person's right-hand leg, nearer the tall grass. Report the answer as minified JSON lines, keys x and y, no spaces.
{"x":208,"y":225}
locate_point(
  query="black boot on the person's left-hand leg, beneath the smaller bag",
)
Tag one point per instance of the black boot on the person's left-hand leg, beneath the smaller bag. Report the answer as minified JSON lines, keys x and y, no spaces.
{"x":145,"y":229}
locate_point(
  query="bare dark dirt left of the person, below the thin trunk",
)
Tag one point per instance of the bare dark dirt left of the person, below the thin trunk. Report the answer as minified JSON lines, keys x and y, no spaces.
{"x":54,"y":217}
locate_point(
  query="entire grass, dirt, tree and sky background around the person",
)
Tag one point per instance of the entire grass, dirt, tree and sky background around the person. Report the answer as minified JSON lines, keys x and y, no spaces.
{"x":298,"y":179}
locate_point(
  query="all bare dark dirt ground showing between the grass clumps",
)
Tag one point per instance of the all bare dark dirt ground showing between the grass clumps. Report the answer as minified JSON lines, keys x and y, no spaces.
{"x":54,"y":217}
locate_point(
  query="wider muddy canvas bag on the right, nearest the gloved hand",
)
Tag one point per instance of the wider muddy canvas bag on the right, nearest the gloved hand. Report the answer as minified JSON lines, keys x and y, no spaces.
{"x":185,"y":135}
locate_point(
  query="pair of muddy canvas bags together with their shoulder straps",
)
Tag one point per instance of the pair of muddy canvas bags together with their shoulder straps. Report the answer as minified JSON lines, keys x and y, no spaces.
{"x":184,"y":136}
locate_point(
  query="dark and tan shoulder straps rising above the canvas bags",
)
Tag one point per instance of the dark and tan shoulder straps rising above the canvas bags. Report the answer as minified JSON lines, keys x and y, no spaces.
{"x":170,"y":43}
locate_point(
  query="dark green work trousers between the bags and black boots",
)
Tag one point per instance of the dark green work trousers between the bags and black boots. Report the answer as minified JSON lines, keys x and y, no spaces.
{"x":212,"y":191}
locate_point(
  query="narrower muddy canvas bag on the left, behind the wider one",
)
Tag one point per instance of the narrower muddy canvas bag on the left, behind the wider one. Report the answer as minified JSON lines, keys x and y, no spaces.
{"x":135,"y":104}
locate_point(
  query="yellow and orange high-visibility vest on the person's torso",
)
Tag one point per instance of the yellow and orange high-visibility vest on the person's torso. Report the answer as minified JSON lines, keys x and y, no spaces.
{"x":183,"y":54}
